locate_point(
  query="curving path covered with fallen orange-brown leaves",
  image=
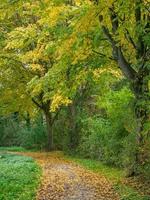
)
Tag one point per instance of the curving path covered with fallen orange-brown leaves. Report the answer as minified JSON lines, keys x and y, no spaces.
{"x":65,"y":180}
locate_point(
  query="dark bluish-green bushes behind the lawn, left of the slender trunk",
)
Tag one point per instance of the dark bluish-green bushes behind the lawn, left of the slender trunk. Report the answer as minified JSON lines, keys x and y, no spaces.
{"x":17,"y":133}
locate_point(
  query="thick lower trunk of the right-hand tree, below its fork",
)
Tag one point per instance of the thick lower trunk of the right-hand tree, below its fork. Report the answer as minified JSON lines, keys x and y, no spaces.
{"x":142,"y":102}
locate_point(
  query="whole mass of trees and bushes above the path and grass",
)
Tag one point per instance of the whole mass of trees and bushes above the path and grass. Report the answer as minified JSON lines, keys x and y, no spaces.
{"x":75,"y":78}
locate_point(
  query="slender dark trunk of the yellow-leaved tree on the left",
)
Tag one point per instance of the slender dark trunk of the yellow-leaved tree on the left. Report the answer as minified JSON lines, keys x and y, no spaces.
{"x":49,"y":125}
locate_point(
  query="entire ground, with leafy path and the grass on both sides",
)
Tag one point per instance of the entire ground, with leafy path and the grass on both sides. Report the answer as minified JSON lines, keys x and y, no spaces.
{"x":66,"y":178}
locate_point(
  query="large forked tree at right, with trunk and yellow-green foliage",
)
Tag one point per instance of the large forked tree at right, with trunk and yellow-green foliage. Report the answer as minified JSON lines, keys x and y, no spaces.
{"x":123,"y":41}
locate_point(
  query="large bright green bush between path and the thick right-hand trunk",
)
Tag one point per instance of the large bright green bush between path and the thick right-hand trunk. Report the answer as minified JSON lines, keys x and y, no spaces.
{"x":108,"y":139}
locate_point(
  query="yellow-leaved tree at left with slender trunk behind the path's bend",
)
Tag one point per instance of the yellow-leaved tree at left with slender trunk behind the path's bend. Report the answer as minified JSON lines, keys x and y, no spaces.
{"x":31,"y":43}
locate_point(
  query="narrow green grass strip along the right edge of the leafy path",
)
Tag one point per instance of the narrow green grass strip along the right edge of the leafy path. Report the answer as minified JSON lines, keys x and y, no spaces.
{"x":114,"y":175}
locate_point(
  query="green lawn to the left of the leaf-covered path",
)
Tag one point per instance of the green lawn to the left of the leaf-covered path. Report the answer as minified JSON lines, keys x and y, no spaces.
{"x":19,"y":177}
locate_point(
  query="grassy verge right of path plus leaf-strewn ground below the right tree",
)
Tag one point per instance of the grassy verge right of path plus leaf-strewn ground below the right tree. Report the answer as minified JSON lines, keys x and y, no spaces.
{"x":131,"y":188}
